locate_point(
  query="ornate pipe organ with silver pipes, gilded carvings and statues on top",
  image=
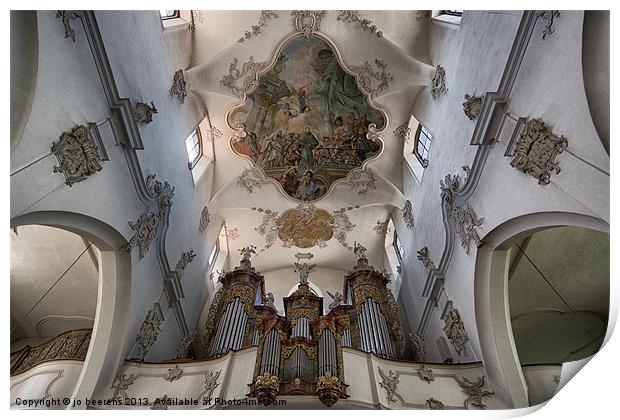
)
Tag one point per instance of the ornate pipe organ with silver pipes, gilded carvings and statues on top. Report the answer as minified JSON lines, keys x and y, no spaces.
{"x":300,"y":352}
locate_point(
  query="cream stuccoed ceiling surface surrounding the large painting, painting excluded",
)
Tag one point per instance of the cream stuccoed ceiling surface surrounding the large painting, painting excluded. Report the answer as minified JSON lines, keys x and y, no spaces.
{"x":391,"y":64}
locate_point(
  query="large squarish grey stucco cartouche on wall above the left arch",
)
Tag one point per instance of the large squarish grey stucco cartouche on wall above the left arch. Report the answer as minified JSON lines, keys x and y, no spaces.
{"x":77,"y":155}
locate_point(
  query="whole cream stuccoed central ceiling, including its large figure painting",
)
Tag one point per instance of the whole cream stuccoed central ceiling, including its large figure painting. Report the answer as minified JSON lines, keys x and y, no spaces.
{"x":308,"y":104}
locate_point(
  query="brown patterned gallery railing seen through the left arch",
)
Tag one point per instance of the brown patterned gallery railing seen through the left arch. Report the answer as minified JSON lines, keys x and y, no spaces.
{"x":70,"y":345}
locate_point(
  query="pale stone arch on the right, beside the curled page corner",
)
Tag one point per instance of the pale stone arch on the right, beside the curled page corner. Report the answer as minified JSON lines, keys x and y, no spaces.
{"x":497,"y":345}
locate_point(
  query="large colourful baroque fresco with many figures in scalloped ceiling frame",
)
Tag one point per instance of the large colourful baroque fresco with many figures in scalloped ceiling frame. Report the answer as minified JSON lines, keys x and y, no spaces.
{"x":306,"y":122}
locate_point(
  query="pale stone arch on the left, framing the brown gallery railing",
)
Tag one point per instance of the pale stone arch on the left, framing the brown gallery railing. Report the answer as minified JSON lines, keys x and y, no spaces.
{"x":106,"y":350}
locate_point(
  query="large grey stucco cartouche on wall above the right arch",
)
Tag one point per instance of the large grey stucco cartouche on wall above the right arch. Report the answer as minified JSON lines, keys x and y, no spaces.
{"x":536,"y":151}
